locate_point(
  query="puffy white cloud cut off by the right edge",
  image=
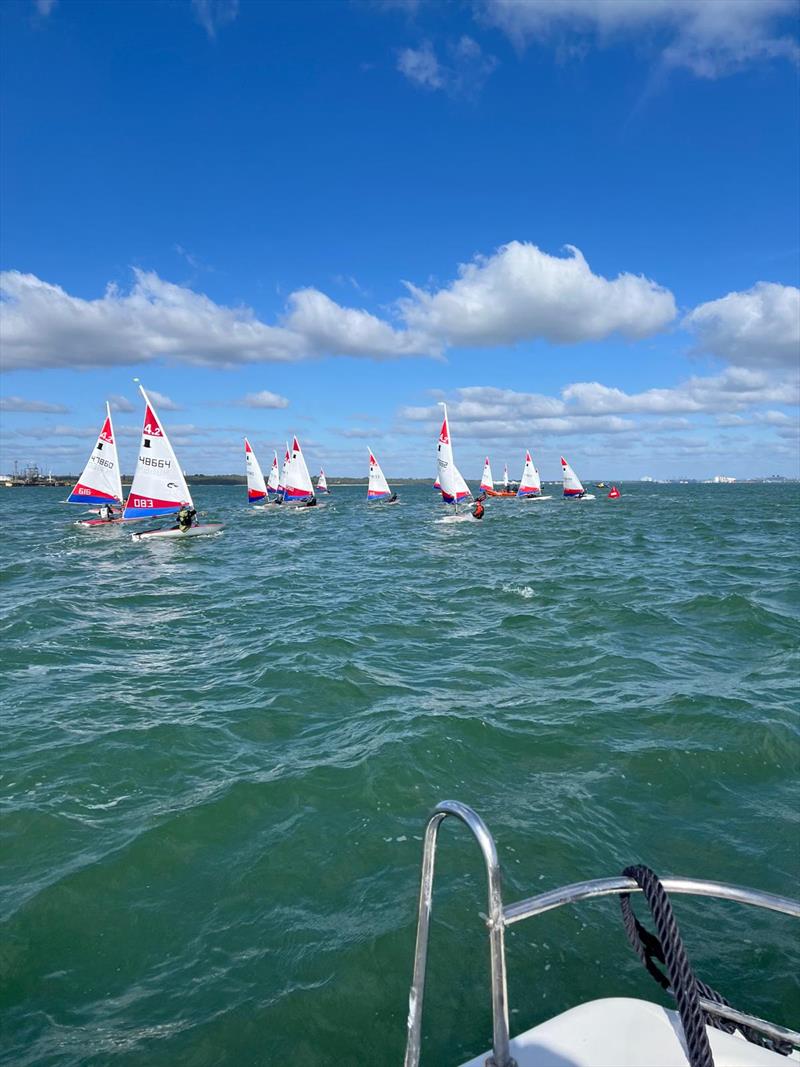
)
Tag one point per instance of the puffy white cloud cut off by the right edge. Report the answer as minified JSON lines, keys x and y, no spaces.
{"x":758,"y":328}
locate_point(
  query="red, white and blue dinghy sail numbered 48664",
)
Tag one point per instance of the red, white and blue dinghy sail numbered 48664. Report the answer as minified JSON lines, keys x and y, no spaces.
{"x":159,"y":487}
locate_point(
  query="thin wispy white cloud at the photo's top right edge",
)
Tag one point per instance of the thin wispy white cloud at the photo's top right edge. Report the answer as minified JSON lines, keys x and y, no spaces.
{"x":710,"y":38}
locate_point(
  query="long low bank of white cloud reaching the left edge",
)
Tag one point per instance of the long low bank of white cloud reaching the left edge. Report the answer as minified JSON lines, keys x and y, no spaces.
{"x":43,"y":326}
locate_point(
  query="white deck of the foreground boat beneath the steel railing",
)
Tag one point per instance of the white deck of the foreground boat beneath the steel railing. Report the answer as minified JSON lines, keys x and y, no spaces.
{"x":622,"y":1032}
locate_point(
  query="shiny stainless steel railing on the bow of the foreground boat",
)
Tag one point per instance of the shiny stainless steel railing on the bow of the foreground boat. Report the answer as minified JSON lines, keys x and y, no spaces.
{"x":499,"y":918}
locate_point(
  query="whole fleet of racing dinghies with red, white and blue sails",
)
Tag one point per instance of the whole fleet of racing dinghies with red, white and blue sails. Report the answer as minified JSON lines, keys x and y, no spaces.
{"x":161,"y":490}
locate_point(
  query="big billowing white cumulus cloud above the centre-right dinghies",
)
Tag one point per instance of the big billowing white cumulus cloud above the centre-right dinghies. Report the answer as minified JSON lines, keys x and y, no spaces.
{"x":522,"y":293}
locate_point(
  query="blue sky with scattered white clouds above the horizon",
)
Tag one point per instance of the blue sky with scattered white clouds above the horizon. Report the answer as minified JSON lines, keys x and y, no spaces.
{"x":324,"y":218}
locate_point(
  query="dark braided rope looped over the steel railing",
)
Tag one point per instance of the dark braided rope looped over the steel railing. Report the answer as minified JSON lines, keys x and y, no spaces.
{"x":668,"y":949}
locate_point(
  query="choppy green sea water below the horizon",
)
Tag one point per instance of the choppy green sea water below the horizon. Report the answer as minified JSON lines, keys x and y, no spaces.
{"x":218,"y":758}
